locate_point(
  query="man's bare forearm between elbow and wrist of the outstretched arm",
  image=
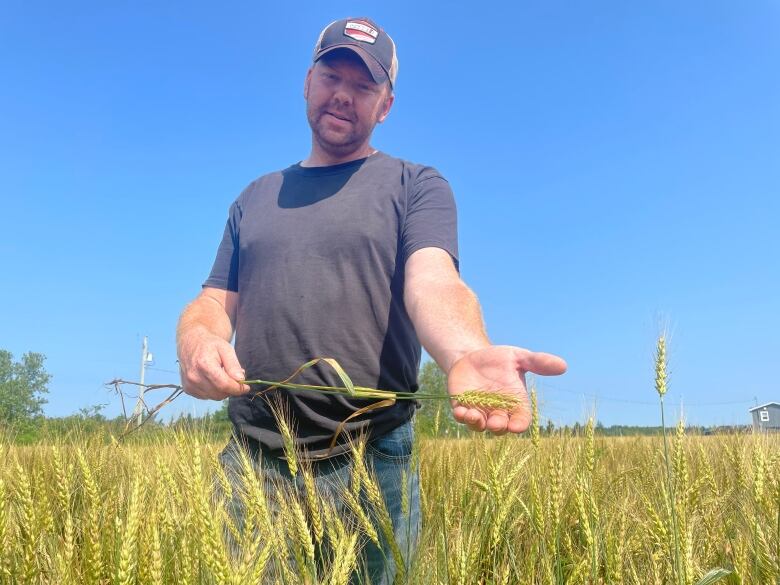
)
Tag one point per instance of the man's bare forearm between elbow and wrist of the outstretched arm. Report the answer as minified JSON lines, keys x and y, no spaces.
{"x":448,"y":320}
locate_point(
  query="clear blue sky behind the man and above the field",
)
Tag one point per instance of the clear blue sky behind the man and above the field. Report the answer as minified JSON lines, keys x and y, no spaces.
{"x":616,"y":168}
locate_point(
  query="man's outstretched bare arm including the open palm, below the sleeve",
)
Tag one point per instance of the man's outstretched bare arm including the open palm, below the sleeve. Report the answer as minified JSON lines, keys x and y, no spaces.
{"x":448,"y":321}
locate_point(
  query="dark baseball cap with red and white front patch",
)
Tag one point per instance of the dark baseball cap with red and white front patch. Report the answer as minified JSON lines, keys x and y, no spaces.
{"x":363,"y":36}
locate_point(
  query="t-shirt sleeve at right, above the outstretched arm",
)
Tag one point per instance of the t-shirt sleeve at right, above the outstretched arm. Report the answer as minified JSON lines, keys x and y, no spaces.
{"x":431,"y":217}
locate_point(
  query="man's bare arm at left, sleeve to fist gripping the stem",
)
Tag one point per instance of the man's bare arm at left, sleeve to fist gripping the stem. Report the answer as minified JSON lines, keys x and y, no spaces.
{"x":209,"y":365}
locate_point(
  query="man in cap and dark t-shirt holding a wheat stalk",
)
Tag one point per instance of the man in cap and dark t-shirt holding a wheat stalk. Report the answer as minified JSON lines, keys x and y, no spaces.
{"x":350,"y":254}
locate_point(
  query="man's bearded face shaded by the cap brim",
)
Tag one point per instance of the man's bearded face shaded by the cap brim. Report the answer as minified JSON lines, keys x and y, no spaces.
{"x":344,"y":103}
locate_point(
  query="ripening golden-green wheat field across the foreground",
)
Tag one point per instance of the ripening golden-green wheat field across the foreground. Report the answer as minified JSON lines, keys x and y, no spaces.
{"x":511,"y":510}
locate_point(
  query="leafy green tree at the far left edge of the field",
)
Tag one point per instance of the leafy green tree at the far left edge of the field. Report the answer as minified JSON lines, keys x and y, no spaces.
{"x":22,"y":386}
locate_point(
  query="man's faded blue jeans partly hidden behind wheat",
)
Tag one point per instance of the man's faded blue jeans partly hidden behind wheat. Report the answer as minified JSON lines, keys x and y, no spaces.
{"x":389,"y":456}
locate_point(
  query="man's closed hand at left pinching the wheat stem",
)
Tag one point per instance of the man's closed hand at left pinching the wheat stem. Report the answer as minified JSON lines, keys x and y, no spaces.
{"x":209,"y":366}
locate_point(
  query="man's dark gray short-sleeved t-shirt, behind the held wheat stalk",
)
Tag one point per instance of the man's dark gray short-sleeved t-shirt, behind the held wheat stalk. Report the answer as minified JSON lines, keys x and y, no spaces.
{"x":317,"y":257}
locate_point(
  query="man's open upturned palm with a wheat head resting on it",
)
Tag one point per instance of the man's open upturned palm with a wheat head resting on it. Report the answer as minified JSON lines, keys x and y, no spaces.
{"x":499,"y":368}
